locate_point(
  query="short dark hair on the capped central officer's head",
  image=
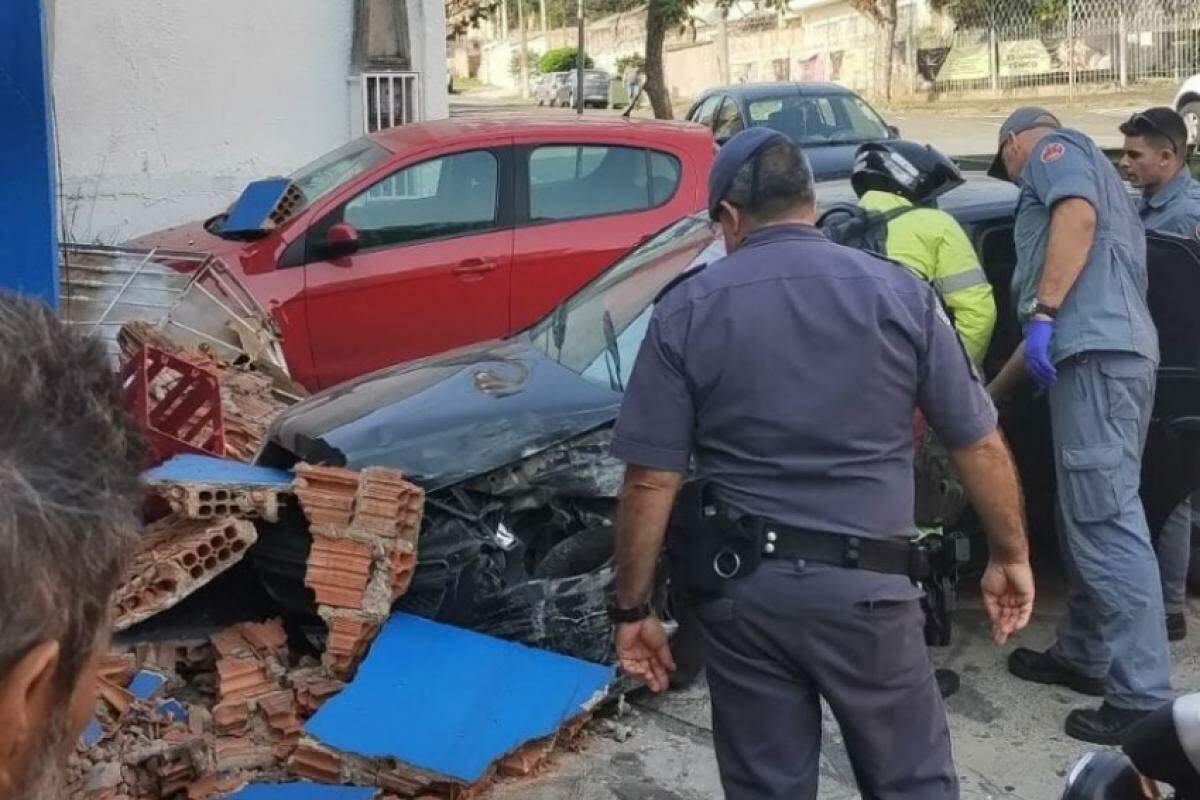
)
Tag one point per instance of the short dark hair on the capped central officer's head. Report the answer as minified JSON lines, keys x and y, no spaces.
{"x":776,"y":183}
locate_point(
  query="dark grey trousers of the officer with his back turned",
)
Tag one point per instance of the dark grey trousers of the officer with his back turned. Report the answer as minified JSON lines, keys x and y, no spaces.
{"x":788,"y":636}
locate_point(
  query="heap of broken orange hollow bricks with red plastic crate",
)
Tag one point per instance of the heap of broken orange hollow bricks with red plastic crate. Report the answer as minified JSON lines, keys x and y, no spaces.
{"x":206,"y":717}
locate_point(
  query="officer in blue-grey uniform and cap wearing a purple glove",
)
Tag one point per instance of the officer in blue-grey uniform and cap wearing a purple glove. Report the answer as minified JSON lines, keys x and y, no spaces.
{"x":1081,"y":287}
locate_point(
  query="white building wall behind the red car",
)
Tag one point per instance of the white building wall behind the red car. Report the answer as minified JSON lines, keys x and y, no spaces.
{"x":167,"y":109}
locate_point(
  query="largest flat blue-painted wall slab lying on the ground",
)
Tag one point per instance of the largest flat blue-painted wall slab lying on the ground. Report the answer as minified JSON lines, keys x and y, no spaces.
{"x":451,"y":702}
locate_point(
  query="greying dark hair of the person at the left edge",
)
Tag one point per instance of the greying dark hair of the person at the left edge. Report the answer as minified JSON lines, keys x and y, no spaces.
{"x":69,"y":488}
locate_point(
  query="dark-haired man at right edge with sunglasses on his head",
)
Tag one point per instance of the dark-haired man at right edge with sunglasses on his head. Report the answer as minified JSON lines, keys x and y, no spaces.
{"x":1155,"y":161}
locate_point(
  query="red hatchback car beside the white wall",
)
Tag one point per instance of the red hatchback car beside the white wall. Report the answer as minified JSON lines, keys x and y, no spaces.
{"x":429,"y":237}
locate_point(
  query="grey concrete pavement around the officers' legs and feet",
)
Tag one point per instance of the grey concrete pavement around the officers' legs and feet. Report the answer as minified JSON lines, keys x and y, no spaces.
{"x":1007,"y":735}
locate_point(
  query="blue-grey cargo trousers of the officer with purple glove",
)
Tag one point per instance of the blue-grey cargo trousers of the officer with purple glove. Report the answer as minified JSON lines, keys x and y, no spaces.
{"x":1115,"y":627}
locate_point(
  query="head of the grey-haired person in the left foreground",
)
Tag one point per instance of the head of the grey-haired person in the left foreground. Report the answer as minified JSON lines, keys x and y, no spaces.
{"x":69,"y":495}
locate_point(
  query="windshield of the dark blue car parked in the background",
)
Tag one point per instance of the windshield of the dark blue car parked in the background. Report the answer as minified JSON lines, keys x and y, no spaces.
{"x":819,"y":119}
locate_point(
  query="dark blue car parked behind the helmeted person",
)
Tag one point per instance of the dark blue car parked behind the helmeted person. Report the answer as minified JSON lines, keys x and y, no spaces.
{"x":829,"y":121}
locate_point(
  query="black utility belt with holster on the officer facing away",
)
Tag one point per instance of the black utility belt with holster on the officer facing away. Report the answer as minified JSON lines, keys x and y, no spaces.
{"x":711,"y":545}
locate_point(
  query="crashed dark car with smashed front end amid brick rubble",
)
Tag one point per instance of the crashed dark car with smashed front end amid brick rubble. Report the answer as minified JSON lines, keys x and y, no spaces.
{"x":511,"y":438}
